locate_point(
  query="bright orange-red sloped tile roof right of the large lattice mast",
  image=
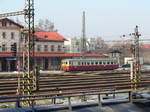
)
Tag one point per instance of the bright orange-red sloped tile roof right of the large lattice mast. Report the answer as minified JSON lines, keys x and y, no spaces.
{"x":49,"y":36}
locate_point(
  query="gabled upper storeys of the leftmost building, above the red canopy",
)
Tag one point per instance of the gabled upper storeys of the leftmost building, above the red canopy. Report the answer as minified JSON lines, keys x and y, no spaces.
{"x":10,"y":33}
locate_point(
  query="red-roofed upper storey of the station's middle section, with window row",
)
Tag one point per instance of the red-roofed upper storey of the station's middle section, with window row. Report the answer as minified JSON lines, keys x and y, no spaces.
{"x":49,"y":42}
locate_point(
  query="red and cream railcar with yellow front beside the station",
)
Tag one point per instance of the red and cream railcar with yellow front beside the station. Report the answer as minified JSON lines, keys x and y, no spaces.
{"x":89,"y":64}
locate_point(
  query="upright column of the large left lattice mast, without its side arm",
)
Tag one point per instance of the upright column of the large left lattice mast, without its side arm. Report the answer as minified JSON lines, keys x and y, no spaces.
{"x":28,"y":80}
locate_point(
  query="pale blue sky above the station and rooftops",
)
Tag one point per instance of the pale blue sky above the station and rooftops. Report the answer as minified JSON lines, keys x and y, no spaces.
{"x":106,"y":18}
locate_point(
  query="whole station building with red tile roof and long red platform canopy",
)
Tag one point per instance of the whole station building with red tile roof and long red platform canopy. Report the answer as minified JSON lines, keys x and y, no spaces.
{"x":49,"y":47}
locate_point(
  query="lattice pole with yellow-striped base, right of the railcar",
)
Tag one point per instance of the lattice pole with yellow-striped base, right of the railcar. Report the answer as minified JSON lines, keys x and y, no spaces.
{"x":135,"y":65}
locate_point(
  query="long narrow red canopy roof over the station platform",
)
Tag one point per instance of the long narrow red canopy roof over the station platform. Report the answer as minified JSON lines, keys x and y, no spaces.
{"x":59,"y":55}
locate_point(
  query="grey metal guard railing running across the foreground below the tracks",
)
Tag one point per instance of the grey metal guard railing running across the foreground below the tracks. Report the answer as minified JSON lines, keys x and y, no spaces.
{"x":19,"y":99}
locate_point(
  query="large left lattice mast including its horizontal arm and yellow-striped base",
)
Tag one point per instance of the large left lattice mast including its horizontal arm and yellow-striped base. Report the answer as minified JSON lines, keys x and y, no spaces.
{"x":29,"y":80}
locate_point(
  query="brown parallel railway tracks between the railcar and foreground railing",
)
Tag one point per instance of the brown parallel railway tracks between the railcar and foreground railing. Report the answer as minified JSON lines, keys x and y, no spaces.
{"x":56,"y":83}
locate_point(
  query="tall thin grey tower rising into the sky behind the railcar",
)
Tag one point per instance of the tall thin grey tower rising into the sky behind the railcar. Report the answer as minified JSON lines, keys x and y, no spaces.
{"x":83,"y":39}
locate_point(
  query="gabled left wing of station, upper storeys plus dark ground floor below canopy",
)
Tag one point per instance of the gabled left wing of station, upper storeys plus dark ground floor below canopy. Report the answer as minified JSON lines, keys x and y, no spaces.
{"x":10,"y":33}
